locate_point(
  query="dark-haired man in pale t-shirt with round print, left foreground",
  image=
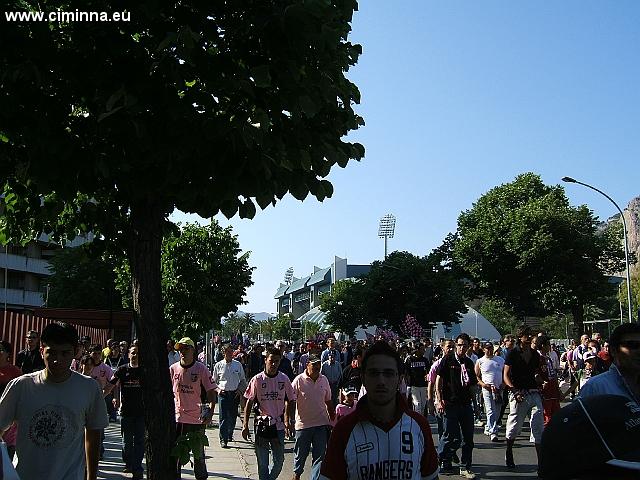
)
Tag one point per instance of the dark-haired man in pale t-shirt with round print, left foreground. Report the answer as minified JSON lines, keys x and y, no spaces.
{"x":59,"y":413}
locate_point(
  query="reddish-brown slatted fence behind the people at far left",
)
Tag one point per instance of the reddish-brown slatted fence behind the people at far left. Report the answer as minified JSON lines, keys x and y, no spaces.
{"x":15,"y":326}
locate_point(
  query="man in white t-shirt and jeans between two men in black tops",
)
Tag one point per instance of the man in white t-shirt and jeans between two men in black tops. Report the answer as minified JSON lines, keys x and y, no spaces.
{"x":489,"y":370}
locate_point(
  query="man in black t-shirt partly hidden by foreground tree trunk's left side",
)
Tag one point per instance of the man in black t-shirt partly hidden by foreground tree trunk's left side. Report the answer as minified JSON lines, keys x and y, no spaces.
{"x":132,"y":411}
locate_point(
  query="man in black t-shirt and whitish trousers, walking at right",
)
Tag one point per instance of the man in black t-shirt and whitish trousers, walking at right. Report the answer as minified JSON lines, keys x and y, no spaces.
{"x":520,"y":368}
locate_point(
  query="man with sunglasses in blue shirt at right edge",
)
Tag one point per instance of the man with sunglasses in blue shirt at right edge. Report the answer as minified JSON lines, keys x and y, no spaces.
{"x":623,"y":377}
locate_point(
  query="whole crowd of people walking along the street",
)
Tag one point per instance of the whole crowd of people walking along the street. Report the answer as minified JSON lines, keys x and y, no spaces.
{"x":361,"y":409}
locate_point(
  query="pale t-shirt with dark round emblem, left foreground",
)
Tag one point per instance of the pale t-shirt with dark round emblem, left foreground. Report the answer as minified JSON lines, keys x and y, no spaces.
{"x":51,"y":419}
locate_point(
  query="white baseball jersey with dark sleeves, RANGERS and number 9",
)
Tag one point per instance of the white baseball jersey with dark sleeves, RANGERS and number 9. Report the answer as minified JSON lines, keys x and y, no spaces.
{"x":362,"y":449}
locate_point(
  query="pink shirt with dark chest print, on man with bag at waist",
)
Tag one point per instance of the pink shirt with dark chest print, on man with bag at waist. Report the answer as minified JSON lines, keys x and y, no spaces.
{"x":271,"y":392}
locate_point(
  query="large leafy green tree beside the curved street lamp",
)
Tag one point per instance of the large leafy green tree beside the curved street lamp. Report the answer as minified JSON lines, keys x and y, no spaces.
{"x":523,"y":243}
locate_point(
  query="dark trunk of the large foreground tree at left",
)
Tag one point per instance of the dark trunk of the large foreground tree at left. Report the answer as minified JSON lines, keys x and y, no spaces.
{"x":144,"y":257}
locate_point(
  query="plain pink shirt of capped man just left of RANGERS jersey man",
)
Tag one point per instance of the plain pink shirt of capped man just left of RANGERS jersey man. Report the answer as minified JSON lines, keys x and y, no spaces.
{"x":311,"y":409}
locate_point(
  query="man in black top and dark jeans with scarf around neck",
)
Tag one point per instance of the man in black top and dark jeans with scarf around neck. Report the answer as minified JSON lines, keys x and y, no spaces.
{"x":454,"y":387}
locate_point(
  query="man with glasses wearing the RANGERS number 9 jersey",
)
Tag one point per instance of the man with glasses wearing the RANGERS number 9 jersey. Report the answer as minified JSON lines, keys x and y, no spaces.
{"x":383,"y":438}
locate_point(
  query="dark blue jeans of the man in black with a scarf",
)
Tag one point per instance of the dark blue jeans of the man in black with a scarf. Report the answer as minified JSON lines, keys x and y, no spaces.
{"x":457,"y":422}
